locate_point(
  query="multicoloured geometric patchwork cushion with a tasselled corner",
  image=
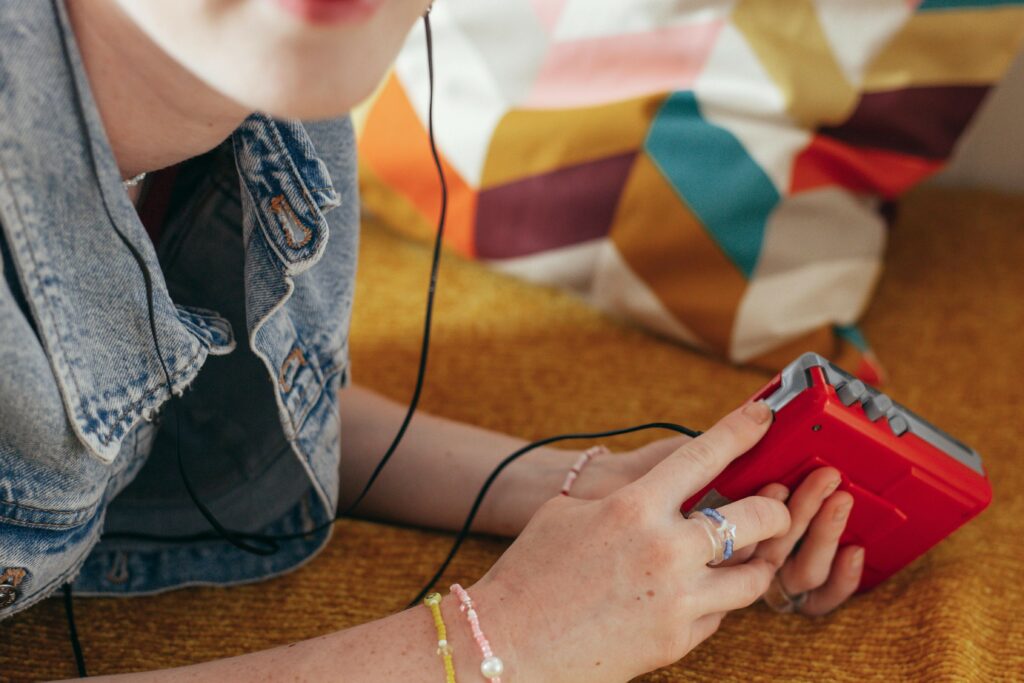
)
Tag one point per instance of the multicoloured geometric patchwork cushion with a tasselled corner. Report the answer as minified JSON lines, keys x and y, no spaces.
{"x":716,"y":172}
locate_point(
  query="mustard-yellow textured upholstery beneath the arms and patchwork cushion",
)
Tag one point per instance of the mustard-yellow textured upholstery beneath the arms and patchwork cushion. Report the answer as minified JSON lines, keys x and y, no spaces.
{"x":947,"y":322}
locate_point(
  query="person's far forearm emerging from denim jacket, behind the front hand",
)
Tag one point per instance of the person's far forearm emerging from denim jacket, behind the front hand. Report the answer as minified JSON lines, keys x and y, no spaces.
{"x":440,"y":467}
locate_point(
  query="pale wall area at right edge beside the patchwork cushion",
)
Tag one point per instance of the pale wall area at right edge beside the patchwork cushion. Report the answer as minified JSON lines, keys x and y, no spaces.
{"x":992,"y":152}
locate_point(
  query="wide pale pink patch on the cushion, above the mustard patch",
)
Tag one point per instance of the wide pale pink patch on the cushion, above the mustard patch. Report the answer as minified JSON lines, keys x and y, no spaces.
{"x":598,"y":71}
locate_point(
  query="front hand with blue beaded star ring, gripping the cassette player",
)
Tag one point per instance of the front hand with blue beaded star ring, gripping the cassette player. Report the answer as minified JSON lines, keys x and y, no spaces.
{"x":609,"y":589}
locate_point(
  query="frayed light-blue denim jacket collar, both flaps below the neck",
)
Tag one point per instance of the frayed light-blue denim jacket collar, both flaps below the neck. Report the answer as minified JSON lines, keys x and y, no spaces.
{"x":84,"y":288}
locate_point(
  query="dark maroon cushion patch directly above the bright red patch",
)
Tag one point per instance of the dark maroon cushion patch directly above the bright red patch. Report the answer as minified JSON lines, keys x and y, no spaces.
{"x":924,"y":122}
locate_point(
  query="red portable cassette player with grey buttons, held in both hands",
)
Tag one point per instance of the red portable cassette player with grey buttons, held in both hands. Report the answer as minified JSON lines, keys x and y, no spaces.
{"x":913,"y":484}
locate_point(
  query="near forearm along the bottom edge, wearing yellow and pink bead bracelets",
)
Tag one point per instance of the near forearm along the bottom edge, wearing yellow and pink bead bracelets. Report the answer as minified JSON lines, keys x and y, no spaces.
{"x":401,"y":648}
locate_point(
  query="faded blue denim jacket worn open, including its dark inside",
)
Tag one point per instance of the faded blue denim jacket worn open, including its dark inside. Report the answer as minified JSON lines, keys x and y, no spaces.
{"x":262,"y":244}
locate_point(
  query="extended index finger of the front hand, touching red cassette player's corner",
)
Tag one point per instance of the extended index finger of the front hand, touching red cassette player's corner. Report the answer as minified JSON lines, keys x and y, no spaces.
{"x":699,"y":461}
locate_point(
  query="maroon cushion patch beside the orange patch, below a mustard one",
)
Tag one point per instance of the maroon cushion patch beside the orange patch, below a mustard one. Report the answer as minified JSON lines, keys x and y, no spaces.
{"x":563,"y":208}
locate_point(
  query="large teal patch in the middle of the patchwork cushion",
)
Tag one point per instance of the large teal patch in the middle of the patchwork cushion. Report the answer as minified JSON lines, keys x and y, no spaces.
{"x":714,"y":176}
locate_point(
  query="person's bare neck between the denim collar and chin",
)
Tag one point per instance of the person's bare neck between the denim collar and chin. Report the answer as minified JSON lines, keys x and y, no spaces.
{"x":156,"y":113}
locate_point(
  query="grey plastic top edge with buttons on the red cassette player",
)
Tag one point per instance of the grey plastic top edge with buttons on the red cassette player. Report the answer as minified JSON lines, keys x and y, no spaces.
{"x":796,"y":381}
